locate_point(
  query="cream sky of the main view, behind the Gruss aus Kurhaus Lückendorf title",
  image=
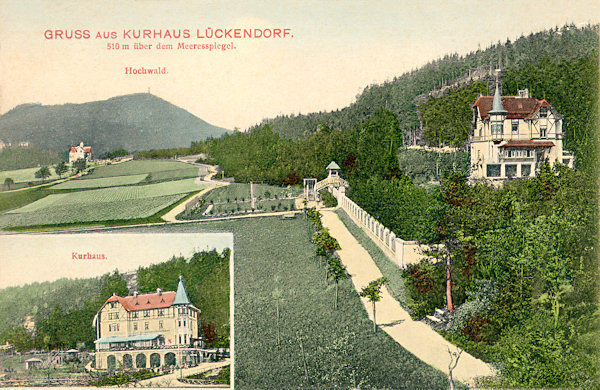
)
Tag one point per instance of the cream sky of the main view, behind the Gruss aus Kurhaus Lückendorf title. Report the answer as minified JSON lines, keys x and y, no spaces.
{"x":332,"y":51}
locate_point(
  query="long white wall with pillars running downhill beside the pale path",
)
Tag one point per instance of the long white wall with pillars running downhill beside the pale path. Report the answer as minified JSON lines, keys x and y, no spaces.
{"x":396,"y":249}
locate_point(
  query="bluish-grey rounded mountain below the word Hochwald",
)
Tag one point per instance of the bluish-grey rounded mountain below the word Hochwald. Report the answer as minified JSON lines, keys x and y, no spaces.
{"x":133,"y":122}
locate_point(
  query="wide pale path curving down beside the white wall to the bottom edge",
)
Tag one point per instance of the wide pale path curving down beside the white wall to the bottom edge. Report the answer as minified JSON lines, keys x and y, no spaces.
{"x":415,"y":336}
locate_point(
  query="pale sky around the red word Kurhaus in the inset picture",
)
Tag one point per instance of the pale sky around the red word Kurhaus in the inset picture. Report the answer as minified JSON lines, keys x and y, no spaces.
{"x":47,"y":257}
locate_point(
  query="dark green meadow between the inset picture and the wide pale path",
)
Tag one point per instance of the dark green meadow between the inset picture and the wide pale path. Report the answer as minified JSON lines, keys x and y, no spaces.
{"x":273,"y":258}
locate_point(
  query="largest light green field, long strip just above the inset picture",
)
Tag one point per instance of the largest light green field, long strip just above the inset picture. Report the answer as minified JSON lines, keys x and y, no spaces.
{"x":116,"y":203}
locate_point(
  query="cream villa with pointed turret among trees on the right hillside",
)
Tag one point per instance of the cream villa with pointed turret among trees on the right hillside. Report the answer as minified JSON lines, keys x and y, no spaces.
{"x":512,"y":136}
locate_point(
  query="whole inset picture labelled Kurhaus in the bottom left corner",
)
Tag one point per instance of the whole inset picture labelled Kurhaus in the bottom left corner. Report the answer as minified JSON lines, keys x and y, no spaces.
{"x":92,"y":309}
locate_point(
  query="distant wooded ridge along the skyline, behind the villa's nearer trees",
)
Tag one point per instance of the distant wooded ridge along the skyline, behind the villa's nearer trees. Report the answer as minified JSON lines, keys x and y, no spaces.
{"x":568,"y":43}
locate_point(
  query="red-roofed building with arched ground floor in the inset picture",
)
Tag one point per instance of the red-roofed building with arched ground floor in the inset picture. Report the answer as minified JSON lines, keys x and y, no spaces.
{"x":160,"y":329}
